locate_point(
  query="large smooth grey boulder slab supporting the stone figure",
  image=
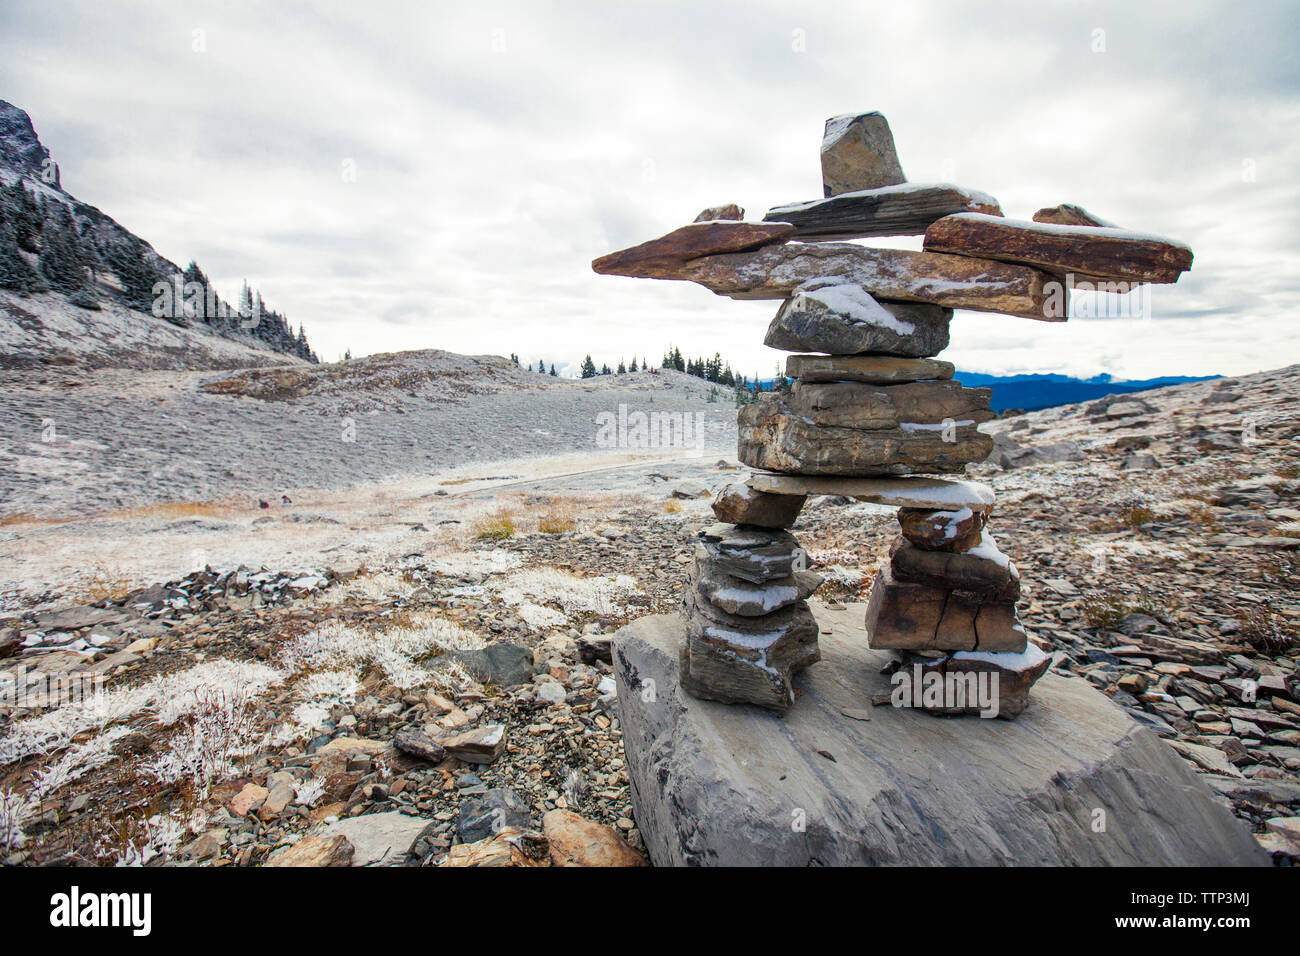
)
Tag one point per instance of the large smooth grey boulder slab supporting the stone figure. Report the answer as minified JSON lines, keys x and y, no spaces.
{"x":717,"y":785}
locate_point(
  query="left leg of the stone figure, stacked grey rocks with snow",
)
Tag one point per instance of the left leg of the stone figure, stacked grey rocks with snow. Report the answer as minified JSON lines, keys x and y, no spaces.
{"x":748,"y":622}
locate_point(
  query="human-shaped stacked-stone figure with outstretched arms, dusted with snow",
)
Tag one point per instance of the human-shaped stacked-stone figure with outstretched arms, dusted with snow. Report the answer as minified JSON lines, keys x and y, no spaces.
{"x":872,"y":414}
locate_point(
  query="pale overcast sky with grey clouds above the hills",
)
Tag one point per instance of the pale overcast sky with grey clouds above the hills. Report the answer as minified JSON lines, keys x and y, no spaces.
{"x":499,"y":149}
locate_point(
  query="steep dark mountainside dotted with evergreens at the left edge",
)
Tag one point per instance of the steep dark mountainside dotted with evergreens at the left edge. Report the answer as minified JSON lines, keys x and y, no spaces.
{"x":66,"y":269}
